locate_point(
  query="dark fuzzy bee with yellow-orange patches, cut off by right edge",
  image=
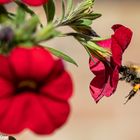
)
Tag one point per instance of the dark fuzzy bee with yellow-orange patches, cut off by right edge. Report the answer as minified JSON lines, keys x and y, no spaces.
{"x":131,"y":74}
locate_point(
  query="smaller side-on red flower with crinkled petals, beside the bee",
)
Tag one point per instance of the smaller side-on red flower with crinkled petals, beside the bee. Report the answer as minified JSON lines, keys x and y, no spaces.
{"x":106,"y":77}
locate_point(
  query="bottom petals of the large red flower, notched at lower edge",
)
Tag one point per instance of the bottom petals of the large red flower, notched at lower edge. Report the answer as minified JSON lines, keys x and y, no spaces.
{"x":26,"y":111}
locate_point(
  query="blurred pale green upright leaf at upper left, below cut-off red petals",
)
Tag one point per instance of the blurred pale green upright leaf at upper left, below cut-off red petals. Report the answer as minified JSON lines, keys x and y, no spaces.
{"x":20,"y":16}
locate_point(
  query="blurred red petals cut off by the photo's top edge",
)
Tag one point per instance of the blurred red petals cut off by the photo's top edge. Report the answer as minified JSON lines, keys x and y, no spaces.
{"x":28,"y":2}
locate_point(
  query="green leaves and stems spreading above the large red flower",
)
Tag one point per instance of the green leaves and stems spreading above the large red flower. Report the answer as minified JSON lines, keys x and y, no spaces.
{"x":27,"y":31}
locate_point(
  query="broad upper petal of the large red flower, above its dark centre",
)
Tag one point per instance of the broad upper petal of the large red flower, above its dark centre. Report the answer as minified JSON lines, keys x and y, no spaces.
{"x":34,"y":63}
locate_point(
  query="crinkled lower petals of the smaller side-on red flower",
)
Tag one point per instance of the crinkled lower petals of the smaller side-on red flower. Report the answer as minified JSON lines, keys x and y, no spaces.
{"x":100,"y":86}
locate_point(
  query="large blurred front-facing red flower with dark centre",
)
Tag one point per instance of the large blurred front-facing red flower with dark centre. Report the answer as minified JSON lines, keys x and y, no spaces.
{"x":34,"y":91}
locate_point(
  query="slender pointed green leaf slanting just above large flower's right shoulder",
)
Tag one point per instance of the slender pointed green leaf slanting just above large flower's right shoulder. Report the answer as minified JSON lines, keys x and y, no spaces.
{"x":62,"y":55}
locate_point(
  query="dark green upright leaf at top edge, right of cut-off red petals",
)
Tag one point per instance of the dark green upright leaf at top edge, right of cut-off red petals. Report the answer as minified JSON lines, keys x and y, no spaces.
{"x":49,"y":9}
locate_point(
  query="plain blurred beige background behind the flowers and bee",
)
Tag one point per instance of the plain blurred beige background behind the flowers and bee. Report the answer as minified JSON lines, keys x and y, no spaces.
{"x":109,"y":119}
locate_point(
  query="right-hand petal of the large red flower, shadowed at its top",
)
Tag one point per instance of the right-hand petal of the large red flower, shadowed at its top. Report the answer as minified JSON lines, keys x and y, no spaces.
{"x":58,"y":84}
